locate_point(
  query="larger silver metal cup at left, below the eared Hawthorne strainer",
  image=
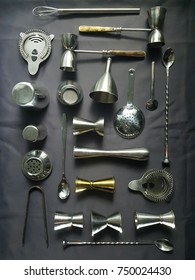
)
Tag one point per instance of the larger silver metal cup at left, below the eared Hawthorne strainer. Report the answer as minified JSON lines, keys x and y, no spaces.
{"x":30,"y":96}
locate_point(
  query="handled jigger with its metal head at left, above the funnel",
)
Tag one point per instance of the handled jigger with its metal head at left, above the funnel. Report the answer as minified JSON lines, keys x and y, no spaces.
{"x":68,"y":60}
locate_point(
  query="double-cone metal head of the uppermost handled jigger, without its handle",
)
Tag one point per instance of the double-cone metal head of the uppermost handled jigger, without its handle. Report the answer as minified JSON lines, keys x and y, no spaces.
{"x":156,"y":17}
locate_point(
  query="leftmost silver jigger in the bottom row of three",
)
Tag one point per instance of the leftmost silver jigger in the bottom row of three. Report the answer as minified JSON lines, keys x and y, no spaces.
{"x":64,"y":220}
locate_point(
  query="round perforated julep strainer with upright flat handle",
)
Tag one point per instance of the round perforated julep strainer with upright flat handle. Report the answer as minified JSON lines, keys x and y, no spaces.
{"x":129,"y":121}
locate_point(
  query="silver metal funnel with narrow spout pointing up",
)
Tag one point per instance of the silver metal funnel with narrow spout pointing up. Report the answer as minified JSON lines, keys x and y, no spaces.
{"x":104,"y":90}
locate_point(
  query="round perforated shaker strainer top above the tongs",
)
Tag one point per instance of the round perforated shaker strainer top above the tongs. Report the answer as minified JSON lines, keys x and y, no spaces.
{"x":36,"y":165}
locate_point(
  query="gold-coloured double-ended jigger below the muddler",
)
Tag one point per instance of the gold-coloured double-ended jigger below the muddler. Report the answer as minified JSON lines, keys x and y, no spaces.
{"x":106,"y":185}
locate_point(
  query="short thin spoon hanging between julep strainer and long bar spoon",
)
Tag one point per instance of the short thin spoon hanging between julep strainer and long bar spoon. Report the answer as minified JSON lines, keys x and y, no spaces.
{"x":152,"y":103}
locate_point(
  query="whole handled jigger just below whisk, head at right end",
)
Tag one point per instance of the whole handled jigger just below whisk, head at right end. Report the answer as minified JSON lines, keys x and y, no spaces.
{"x":156,"y":17}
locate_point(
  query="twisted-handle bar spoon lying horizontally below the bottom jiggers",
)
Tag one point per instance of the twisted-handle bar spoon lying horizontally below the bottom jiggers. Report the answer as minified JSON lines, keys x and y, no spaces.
{"x":162,"y":244}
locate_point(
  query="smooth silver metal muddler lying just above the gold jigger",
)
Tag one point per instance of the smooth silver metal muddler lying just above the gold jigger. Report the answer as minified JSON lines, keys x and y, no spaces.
{"x":139,"y":154}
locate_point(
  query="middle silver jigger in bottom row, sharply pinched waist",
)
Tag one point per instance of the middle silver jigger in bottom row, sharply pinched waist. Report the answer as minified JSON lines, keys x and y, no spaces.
{"x":99,"y":222}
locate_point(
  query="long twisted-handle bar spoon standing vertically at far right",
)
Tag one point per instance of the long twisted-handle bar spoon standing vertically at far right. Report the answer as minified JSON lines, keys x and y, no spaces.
{"x":167,"y":60}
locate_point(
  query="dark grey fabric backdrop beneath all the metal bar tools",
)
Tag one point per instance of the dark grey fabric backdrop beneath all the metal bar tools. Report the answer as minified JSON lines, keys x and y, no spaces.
{"x":179,"y":29}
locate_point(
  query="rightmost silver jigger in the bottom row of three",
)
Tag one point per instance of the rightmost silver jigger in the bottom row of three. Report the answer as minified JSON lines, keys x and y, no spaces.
{"x":143,"y":220}
